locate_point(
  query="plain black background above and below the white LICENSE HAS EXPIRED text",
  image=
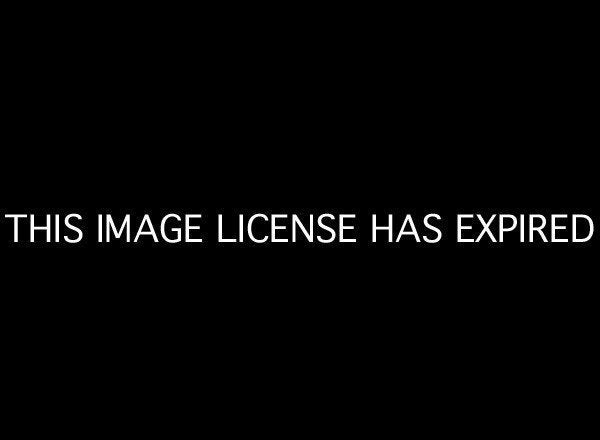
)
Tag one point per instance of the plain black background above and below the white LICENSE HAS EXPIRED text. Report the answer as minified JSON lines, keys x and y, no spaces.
{"x":368,"y":113}
